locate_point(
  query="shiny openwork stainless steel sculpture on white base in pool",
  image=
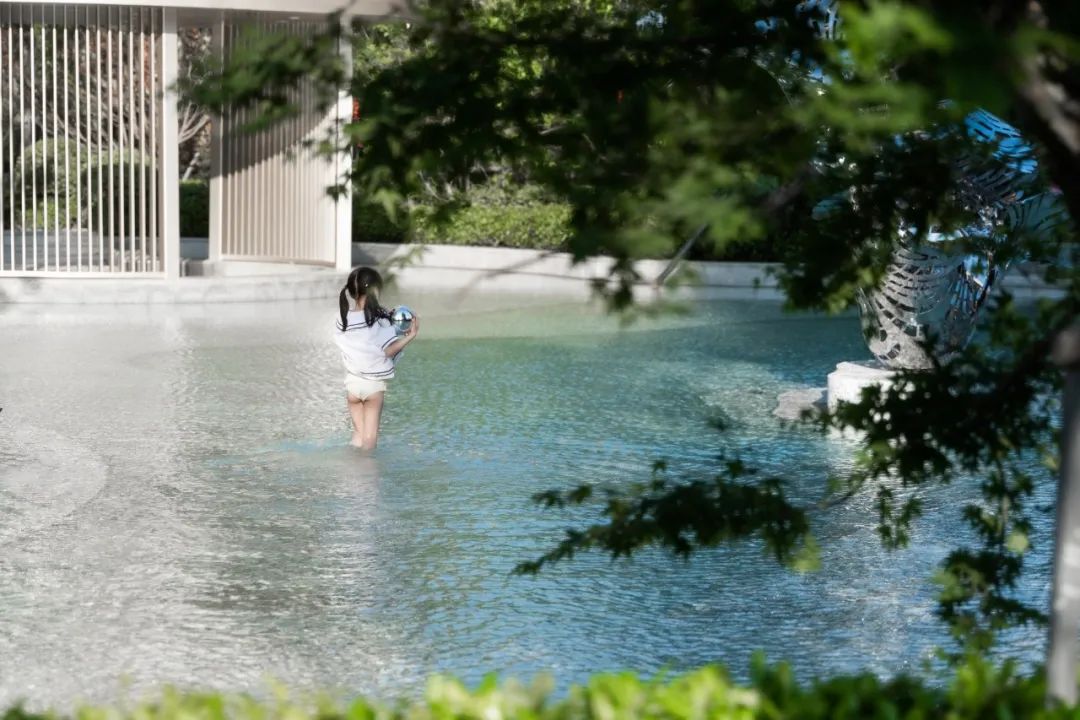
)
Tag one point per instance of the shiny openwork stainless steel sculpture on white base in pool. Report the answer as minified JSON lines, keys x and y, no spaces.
{"x":929,"y":302}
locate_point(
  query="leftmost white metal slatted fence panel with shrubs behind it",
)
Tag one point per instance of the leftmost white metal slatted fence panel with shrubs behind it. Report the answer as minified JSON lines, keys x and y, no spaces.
{"x":80,"y":140}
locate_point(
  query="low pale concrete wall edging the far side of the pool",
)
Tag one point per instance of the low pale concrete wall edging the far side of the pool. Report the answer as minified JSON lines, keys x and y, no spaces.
{"x":422,"y":268}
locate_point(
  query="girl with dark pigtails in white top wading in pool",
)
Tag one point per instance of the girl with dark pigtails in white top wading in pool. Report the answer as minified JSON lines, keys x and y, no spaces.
{"x":369,"y":348}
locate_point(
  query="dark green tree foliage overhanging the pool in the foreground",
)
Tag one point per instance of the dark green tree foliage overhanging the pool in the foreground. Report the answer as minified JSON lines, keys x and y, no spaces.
{"x":651,"y":119}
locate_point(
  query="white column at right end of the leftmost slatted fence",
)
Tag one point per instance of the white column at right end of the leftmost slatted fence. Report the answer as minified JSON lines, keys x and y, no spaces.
{"x":170,"y":148}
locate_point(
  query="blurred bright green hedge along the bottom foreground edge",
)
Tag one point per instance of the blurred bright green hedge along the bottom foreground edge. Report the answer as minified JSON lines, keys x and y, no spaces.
{"x":978,"y":690}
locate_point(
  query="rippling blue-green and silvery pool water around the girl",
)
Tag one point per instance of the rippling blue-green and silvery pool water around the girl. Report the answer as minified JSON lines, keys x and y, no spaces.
{"x":178,"y":504}
